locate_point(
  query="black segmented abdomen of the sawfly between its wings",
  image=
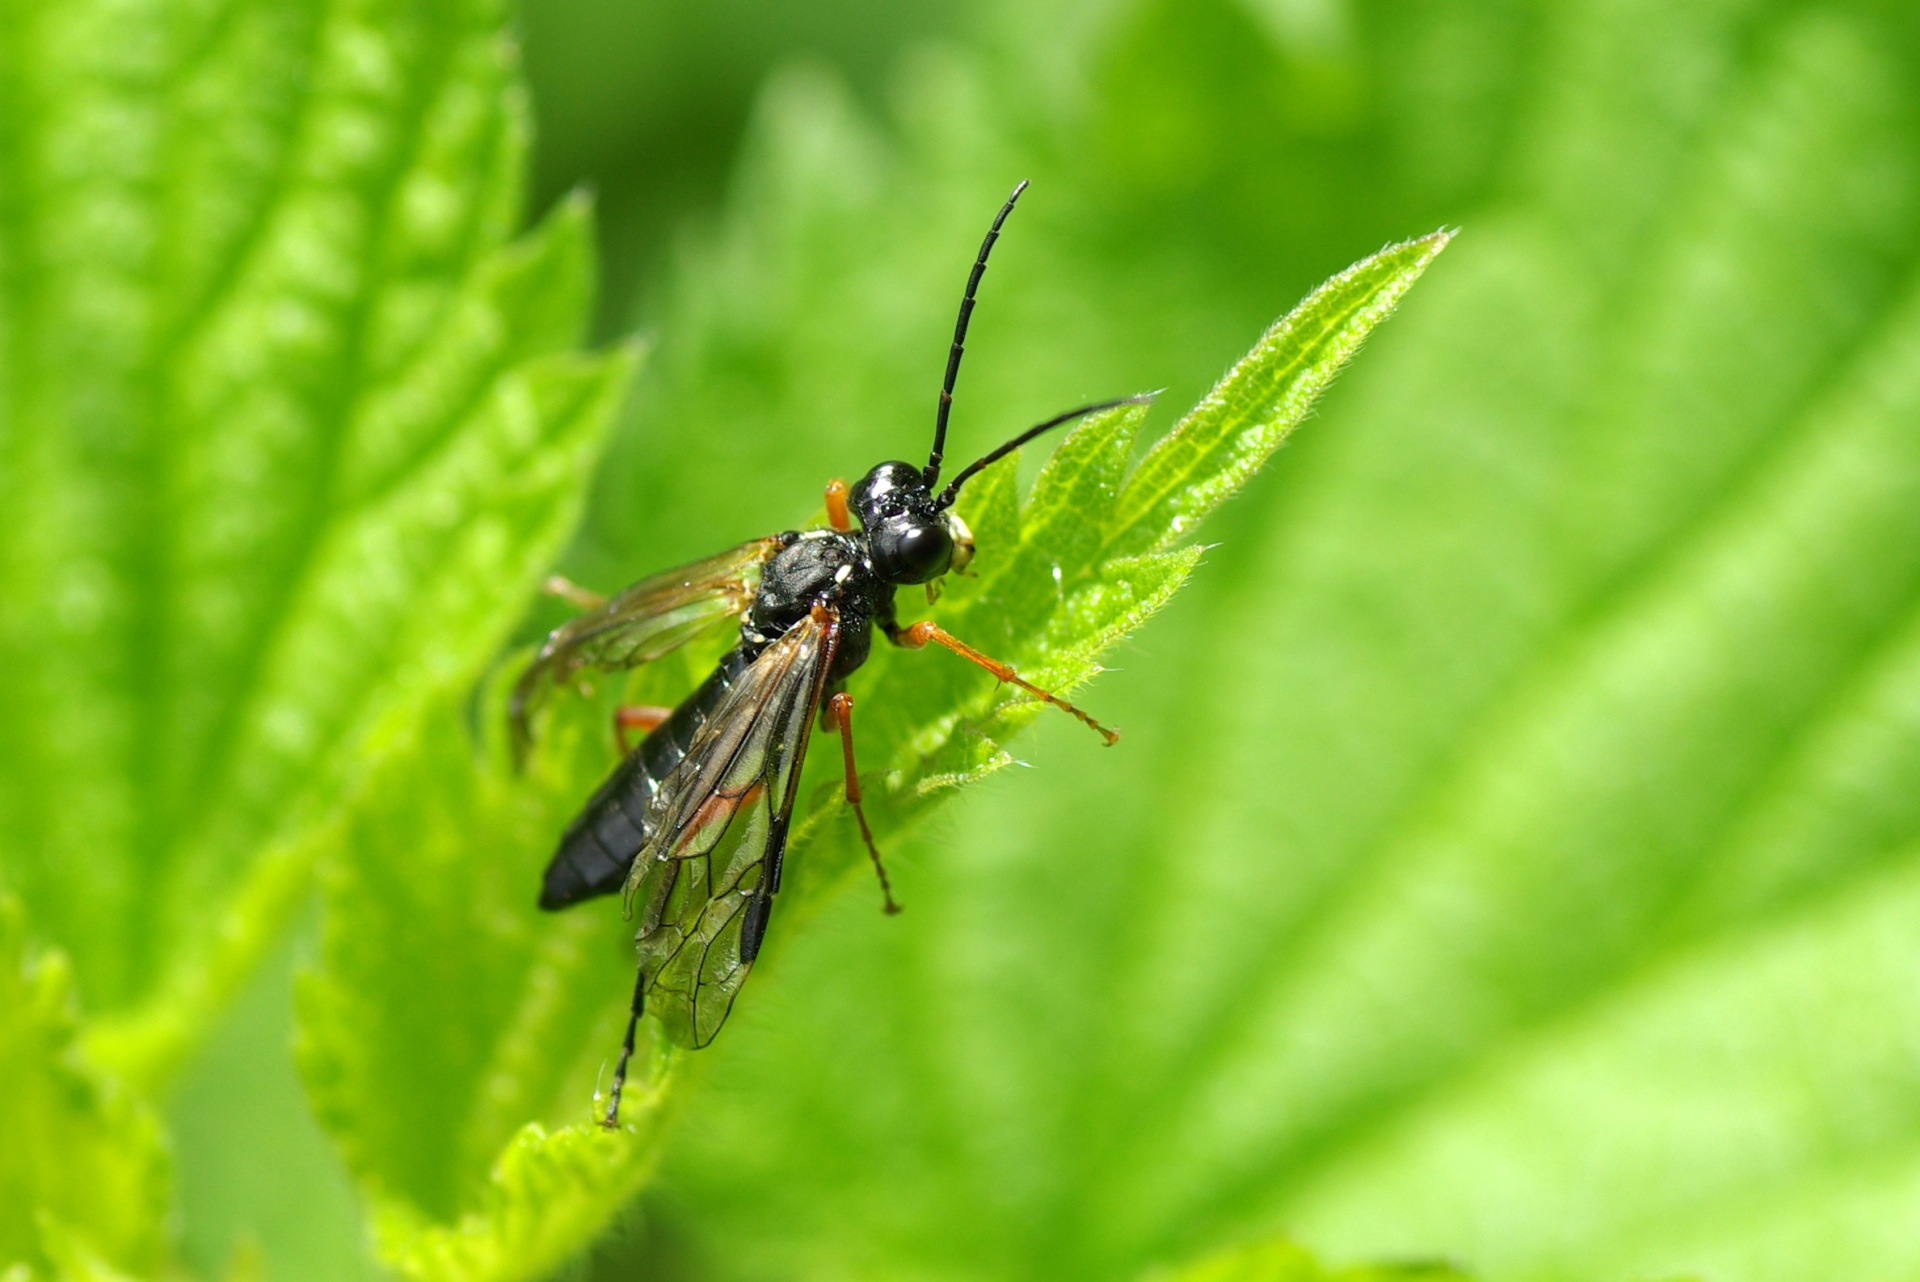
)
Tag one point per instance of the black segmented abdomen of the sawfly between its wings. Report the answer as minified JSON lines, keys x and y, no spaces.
{"x":600,"y":845}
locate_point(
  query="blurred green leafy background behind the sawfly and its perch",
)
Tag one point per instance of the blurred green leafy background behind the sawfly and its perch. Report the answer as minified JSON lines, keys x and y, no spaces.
{"x":1512,"y":853}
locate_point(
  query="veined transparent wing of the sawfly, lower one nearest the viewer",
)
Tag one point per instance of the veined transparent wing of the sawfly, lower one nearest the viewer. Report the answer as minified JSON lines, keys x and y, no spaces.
{"x":704,"y":886}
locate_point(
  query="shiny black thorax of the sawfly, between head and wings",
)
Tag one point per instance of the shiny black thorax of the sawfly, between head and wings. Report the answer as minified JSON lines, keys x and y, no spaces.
{"x":823,"y":567}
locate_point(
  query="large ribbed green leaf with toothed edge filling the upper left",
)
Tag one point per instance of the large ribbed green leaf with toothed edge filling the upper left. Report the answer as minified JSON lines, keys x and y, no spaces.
{"x":285,"y":433}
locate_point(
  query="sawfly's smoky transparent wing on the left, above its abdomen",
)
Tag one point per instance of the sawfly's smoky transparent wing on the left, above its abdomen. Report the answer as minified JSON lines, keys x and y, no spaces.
{"x":640,"y":625}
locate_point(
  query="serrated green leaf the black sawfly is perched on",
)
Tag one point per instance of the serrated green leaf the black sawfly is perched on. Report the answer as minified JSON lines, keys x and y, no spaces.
{"x":454,"y":1035}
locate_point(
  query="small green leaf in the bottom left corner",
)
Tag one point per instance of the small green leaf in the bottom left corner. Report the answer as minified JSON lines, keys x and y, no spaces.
{"x":84,"y":1172}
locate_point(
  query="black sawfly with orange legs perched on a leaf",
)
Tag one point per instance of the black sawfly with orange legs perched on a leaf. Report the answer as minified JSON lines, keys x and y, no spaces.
{"x":694,"y":822}
